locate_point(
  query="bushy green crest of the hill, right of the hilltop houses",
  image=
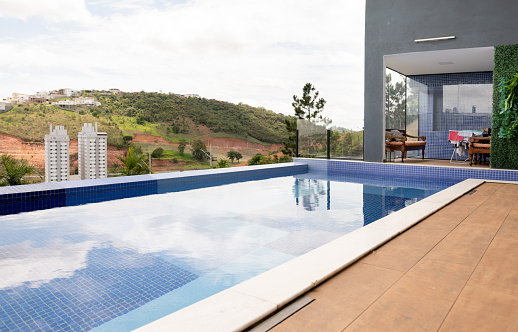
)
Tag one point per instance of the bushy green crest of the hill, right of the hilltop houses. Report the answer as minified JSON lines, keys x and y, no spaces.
{"x":172,"y":116}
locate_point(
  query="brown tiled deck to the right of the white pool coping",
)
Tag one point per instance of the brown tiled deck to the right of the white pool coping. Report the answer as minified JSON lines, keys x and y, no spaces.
{"x":457,"y":270}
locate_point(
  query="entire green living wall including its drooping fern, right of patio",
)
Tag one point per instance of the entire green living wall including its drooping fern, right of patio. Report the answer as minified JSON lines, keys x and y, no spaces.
{"x":504,"y":143}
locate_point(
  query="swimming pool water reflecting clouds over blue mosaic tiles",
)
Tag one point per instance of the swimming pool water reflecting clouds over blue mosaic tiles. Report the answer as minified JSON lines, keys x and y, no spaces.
{"x":120,"y":264}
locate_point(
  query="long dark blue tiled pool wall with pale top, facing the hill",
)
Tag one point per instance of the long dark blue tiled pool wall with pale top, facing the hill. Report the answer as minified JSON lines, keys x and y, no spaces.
{"x":42,"y":196}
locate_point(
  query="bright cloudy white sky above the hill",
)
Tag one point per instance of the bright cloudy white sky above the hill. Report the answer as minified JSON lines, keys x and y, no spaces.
{"x":257,"y":52}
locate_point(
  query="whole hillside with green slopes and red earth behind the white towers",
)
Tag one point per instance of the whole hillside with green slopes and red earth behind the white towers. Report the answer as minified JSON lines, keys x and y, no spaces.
{"x":153,"y":121}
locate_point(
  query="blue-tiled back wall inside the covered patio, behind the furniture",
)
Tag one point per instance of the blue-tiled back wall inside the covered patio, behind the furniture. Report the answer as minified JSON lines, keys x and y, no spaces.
{"x":451,"y":102}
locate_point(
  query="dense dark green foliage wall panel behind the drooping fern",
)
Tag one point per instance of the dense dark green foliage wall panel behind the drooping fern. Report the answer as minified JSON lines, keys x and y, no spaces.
{"x":504,"y":151}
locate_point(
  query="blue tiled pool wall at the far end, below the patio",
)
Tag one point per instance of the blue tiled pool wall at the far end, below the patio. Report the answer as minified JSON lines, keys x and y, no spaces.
{"x":419,"y":173}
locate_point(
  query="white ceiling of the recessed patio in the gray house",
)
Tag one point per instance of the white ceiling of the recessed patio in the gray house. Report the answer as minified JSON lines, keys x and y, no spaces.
{"x":464,"y":60}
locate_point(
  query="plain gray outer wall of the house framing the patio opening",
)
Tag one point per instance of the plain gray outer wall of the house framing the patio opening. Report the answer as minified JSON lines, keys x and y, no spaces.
{"x":391,"y":26}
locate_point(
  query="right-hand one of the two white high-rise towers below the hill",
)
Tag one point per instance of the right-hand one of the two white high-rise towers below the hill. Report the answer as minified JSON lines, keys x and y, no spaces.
{"x":92,"y":152}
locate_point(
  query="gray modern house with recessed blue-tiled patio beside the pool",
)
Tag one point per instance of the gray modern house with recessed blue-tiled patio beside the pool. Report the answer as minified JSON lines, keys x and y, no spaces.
{"x":444,"y":53}
